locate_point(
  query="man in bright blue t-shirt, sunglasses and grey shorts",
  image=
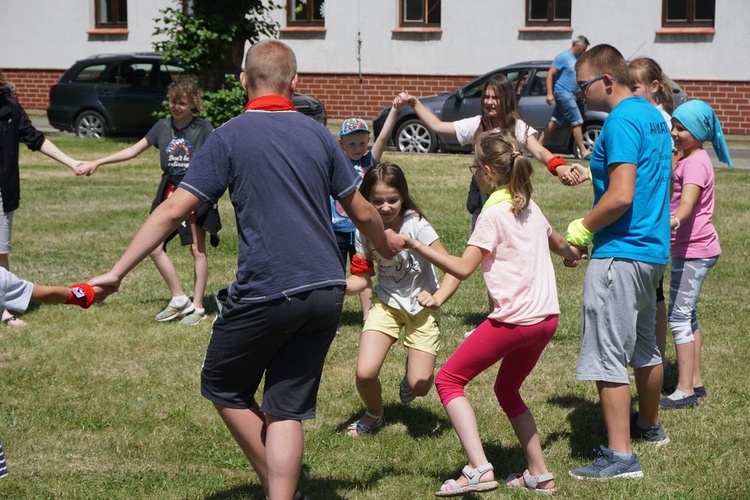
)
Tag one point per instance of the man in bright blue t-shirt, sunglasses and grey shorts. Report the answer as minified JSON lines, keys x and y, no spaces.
{"x":629,"y":228}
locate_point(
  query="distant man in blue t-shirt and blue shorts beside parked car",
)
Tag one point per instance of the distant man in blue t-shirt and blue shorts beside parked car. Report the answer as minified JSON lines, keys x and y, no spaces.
{"x":563,"y":93}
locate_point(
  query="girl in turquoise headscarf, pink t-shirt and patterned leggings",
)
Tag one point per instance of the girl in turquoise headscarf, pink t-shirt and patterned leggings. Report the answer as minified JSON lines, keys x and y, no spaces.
{"x":695,"y":243}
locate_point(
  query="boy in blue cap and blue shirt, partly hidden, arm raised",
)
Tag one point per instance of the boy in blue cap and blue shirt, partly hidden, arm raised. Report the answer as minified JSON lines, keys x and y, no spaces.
{"x":354,"y":138}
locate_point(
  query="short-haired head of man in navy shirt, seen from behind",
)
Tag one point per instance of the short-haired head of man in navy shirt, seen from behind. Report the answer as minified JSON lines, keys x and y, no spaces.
{"x":270,"y":68}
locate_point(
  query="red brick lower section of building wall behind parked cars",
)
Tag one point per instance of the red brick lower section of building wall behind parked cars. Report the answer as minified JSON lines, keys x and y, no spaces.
{"x":344,"y":95}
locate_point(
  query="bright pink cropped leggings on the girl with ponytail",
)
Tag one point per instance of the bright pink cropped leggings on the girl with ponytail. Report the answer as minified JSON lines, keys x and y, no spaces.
{"x":519,"y":345}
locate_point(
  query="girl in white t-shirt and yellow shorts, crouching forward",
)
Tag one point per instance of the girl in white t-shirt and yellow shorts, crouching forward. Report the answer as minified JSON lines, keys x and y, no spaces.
{"x":406,"y":296}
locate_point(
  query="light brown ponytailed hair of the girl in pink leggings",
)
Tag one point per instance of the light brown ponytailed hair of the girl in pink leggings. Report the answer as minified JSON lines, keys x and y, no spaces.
{"x":503,"y":154}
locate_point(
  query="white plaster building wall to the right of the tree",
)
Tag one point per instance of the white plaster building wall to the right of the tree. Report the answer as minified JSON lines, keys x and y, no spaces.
{"x":484,"y":34}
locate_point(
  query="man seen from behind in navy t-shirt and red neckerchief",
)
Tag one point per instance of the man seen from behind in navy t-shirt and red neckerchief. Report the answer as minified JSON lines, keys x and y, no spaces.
{"x":277,"y":319}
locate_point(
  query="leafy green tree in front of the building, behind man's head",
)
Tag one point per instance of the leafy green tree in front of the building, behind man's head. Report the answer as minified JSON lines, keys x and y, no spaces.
{"x":209,"y":42}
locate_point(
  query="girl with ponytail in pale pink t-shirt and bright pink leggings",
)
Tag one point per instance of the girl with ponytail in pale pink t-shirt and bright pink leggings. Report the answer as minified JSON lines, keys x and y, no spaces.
{"x":512,"y":242}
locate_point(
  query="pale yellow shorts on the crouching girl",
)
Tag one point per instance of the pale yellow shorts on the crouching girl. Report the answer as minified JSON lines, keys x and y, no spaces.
{"x":421,"y":331}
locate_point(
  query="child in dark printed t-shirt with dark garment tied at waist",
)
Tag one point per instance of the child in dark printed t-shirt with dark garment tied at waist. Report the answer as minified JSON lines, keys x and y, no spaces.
{"x":179,"y":138}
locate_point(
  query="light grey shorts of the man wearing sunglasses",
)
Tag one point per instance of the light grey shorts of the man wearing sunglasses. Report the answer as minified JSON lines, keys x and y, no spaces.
{"x":619,"y":317}
